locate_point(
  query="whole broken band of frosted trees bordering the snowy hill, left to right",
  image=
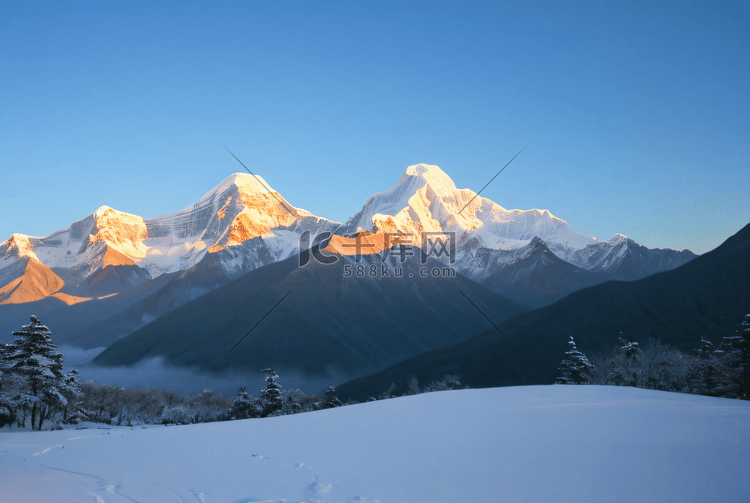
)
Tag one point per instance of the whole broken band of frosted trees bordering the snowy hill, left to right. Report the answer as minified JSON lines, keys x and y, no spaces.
{"x":34,"y":390}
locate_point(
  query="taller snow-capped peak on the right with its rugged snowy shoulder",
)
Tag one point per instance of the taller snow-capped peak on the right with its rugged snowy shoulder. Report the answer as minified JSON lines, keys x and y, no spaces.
{"x":425,"y":200}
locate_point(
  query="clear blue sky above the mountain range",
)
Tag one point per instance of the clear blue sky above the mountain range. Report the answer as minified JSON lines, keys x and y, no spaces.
{"x":636,"y":114}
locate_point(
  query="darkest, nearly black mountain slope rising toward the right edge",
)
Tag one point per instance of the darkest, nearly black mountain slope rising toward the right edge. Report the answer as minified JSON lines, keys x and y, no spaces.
{"x":707,"y":297}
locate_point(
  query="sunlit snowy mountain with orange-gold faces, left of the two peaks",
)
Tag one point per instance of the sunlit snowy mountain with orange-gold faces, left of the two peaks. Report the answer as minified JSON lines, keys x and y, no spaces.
{"x":243,"y":220}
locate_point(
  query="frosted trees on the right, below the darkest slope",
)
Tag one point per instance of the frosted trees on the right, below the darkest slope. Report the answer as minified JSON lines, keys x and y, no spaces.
{"x":720,"y":371}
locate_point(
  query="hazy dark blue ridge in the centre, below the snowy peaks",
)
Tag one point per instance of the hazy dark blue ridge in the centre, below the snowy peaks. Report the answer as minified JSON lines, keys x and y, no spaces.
{"x":315,"y":319}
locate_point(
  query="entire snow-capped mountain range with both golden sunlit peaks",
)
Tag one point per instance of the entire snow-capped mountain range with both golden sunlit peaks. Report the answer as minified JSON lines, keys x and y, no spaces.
{"x":118,"y":271}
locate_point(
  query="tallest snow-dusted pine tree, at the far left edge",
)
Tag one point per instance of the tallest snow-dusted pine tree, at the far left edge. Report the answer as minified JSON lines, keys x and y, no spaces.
{"x":35,"y":359}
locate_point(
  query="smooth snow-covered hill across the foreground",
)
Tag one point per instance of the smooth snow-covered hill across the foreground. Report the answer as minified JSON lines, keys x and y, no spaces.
{"x":538,"y":443}
